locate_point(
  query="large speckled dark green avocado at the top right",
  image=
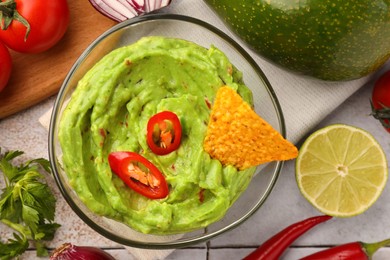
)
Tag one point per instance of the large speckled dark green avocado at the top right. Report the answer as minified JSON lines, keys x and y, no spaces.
{"x":334,"y":40}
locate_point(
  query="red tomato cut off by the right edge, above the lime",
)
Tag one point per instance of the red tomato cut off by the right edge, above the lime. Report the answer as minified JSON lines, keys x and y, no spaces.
{"x":381,"y":100}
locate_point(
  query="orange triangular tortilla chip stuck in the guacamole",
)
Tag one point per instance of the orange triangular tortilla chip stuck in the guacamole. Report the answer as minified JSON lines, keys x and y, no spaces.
{"x":237,"y":136}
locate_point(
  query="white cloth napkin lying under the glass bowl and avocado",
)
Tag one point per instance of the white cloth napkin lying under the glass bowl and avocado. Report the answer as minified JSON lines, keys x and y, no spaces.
{"x":304,"y":101}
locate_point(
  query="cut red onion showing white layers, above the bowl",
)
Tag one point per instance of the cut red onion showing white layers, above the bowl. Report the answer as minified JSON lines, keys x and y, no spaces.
{"x":121,"y":10}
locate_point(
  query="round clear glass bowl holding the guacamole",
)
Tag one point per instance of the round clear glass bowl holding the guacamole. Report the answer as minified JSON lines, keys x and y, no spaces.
{"x":265,"y":103}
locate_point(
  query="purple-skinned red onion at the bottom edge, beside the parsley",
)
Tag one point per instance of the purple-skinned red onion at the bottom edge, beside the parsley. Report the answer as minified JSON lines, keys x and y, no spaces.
{"x":68,"y":251}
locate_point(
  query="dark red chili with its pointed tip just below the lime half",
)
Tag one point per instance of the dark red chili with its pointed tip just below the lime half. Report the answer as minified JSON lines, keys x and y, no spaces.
{"x":274,"y":247}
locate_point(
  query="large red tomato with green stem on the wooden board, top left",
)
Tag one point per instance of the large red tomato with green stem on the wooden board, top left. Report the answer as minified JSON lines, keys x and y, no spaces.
{"x":48,"y":20}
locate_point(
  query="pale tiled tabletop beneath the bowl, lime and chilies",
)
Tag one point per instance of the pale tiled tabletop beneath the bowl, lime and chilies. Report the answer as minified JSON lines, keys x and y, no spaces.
{"x":284,"y":206}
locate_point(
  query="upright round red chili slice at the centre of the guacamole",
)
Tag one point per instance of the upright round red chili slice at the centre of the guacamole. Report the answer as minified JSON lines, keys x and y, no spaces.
{"x":163,"y":133}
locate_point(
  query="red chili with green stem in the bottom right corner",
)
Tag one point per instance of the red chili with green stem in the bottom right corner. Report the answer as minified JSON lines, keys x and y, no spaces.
{"x":350,"y":251}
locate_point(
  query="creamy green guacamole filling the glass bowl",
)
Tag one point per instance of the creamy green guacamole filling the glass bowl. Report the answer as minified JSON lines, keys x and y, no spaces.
{"x":109,"y":111}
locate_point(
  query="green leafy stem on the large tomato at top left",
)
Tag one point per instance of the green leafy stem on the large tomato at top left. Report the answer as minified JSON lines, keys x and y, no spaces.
{"x":9,"y":13}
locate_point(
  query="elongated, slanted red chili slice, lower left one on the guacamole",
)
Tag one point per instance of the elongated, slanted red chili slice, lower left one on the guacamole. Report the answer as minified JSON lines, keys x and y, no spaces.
{"x":139,"y":174}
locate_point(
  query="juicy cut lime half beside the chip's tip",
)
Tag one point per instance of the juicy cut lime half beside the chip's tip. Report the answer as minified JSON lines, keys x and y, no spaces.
{"x":341,"y":170}
